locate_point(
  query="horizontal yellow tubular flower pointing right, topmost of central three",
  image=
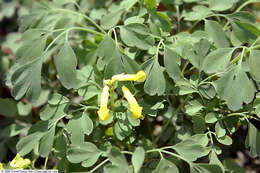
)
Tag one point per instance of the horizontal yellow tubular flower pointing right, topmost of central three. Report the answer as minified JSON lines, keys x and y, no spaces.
{"x":138,"y":77}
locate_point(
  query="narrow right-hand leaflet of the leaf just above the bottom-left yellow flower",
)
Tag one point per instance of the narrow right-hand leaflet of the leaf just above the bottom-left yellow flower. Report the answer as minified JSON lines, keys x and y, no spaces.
{"x":46,"y":142}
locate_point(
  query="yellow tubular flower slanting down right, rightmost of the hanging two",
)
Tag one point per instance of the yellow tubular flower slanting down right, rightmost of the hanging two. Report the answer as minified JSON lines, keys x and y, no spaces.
{"x":134,"y":106}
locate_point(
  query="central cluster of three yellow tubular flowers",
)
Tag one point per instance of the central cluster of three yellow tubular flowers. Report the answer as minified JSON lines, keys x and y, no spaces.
{"x":136,"y":110}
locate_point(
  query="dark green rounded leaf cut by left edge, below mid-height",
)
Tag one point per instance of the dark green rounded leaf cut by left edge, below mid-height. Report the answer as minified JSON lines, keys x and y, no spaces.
{"x":8,"y":107}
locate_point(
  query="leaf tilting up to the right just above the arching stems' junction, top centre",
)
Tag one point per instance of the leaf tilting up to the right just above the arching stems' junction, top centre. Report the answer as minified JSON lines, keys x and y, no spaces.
{"x":111,"y":20}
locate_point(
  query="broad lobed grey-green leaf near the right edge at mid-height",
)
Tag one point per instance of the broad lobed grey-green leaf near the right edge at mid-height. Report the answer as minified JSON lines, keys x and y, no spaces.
{"x":233,"y":82}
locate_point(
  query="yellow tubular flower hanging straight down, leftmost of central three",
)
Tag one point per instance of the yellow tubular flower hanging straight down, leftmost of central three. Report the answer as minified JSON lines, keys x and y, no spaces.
{"x":103,"y":111}
